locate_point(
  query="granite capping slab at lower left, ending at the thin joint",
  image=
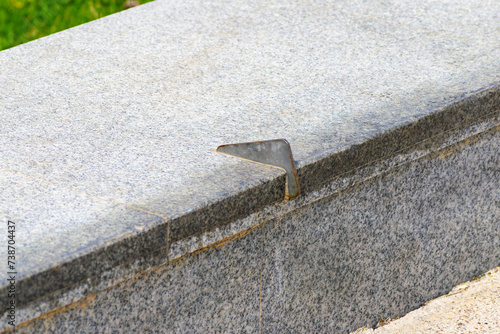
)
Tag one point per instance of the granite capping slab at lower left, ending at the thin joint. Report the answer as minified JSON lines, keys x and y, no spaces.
{"x":61,"y":247}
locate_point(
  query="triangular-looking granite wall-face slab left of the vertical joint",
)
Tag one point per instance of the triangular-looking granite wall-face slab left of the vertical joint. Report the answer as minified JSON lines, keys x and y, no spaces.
{"x":216,"y":291}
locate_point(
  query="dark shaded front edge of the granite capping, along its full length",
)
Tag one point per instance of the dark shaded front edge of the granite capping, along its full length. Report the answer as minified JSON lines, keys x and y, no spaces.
{"x":466,"y":111}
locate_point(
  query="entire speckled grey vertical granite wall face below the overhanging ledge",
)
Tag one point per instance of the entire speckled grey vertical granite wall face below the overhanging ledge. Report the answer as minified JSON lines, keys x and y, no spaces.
{"x":376,"y":250}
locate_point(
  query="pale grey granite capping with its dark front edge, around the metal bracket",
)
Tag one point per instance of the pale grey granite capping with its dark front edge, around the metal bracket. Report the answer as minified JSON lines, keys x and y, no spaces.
{"x":108,"y":130}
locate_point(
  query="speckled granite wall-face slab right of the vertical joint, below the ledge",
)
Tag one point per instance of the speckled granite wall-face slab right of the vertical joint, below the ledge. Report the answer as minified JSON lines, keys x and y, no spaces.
{"x":382,"y":248}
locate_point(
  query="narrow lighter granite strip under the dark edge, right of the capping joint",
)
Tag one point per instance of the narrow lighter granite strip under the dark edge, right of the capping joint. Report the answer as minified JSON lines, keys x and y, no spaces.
{"x":442,"y":142}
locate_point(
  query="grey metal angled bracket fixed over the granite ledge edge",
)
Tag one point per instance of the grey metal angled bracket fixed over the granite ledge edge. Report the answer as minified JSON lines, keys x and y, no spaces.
{"x":275,"y":153}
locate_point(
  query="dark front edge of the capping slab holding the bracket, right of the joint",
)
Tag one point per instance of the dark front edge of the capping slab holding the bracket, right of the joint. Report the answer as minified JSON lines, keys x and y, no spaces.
{"x":465,"y":111}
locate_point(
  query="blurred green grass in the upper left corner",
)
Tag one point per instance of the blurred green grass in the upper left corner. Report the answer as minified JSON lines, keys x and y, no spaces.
{"x":22,"y":21}
